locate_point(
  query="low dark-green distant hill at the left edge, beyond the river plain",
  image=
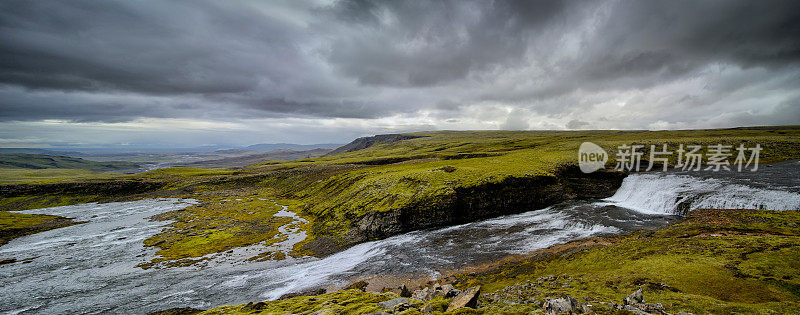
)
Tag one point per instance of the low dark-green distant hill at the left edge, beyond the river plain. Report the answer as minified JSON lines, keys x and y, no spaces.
{"x":40,"y":161}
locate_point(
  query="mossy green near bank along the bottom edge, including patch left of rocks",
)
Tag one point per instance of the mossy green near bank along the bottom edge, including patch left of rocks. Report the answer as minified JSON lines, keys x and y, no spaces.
{"x":715,"y":261}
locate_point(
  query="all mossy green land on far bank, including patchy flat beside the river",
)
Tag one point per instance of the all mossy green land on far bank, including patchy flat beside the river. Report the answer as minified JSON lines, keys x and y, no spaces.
{"x":332,"y":191}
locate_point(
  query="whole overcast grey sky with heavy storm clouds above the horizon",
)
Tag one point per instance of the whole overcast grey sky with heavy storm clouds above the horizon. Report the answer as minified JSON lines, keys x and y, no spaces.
{"x":189,"y":73}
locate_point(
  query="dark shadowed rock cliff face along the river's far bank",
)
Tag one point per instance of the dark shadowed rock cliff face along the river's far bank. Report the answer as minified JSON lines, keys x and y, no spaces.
{"x":511,"y":196}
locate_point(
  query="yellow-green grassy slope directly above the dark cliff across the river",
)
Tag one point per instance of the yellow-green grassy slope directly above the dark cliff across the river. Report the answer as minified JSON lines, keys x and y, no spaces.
{"x":478,"y":157}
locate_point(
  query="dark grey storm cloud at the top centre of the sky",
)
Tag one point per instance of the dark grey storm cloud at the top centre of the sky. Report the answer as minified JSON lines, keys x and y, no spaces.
{"x":428,"y":43}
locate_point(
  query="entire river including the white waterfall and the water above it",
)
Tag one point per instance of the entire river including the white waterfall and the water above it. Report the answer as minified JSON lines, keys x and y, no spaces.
{"x":91,"y":267}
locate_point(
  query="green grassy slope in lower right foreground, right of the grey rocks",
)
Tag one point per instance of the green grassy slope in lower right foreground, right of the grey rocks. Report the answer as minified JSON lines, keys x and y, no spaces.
{"x":720,"y":261}
